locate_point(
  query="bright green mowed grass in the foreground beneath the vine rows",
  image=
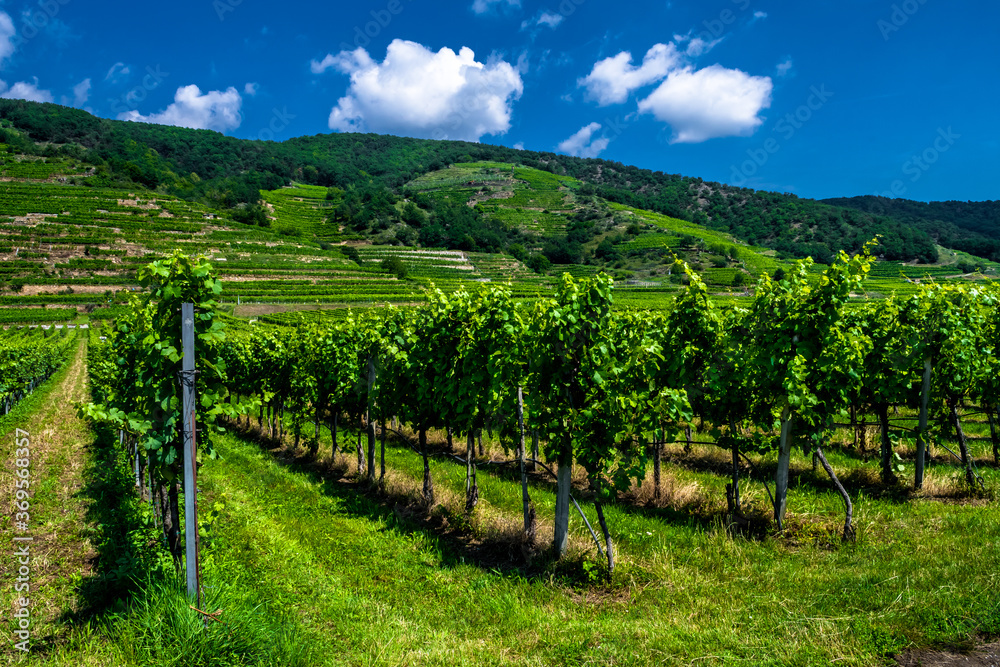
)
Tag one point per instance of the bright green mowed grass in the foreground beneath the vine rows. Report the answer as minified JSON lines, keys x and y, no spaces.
{"x":372,"y":582}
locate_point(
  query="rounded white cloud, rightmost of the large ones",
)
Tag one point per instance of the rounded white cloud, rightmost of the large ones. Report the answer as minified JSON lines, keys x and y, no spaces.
{"x":712,"y":102}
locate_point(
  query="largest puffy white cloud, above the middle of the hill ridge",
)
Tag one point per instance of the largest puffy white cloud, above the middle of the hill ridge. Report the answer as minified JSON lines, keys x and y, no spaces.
{"x":417,"y":92}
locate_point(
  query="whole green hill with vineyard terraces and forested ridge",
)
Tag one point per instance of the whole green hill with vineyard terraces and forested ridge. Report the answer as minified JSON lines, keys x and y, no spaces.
{"x":348,"y":219}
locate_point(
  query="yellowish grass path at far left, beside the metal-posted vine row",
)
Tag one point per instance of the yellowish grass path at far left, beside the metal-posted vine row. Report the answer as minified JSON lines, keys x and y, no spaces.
{"x":61,"y":553}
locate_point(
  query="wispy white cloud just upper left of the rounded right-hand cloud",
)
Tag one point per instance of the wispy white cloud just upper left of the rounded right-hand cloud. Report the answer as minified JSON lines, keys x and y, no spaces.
{"x":613,"y":79}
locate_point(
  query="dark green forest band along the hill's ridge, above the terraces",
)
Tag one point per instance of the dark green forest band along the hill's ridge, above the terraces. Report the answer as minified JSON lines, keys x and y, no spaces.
{"x":228,"y":173}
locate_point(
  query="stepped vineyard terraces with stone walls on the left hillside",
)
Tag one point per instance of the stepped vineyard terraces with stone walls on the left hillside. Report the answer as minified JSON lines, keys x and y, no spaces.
{"x":73,"y":245}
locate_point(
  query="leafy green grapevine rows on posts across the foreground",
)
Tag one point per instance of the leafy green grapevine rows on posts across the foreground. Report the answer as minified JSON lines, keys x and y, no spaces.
{"x":599,"y":390}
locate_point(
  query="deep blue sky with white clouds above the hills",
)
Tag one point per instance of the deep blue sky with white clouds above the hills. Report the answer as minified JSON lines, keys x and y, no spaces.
{"x":821,"y":99}
